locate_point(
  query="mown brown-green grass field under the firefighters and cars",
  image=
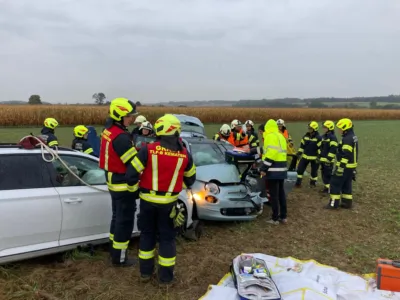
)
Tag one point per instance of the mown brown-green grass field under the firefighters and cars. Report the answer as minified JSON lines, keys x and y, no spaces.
{"x":348,"y":239}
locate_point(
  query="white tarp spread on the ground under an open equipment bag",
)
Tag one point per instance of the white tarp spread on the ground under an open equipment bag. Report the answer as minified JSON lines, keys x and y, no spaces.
{"x":307,"y":280}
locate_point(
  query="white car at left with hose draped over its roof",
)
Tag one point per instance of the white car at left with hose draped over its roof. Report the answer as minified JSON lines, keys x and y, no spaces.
{"x":45,"y":210}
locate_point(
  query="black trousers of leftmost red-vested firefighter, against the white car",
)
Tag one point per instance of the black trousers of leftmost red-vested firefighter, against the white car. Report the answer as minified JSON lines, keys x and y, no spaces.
{"x":123,"y":216}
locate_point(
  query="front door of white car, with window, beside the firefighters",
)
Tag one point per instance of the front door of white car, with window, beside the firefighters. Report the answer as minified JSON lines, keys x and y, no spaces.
{"x":86,"y":210}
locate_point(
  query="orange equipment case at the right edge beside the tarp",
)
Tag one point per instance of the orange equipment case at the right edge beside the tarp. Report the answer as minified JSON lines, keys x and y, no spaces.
{"x":388,"y":275}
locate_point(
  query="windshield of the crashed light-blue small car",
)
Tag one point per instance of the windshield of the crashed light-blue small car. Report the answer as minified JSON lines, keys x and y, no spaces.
{"x":206,"y":154}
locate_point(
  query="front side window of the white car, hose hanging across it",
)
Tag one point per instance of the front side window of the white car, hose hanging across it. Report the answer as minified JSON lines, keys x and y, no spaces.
{"x":86,"y":169}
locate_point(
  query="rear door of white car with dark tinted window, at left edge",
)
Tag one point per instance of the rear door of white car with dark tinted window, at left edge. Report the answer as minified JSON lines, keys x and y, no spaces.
{"x":30,"y":207}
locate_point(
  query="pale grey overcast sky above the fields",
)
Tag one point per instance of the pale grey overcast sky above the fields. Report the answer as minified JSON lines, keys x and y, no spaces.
{"x":170,"y":50}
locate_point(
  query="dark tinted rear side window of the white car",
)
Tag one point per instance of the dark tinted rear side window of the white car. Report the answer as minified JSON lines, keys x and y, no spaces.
{"x":23,"y":172}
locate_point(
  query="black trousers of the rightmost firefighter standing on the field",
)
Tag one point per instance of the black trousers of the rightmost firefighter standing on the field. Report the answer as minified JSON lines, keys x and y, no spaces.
{"x":341,"y":189}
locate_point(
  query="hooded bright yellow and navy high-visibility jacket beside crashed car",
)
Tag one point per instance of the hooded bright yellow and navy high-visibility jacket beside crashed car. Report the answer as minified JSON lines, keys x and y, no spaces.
{"x":274,"y":152}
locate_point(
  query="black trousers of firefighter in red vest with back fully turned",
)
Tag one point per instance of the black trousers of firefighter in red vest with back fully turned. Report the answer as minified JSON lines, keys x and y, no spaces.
{"x":154,"y":219}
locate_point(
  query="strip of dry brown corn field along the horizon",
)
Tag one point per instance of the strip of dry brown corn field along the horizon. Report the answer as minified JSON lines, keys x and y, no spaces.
{"x":70,"y":115}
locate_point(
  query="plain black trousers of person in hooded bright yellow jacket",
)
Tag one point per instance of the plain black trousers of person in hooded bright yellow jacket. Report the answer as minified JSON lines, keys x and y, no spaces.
{"x":277,"y":198}
